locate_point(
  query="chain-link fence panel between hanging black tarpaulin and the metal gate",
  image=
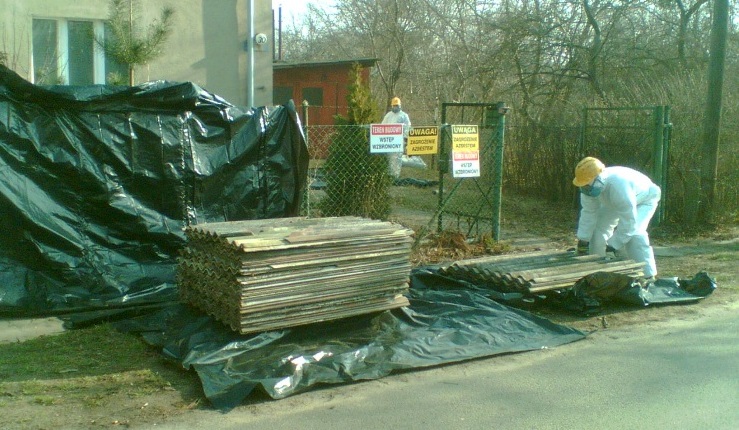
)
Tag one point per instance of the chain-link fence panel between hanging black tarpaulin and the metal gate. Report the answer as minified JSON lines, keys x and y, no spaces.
{"x":345,"y":179}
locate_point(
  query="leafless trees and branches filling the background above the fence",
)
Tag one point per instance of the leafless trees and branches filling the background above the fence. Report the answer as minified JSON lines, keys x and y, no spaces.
{"x":546,"y":58}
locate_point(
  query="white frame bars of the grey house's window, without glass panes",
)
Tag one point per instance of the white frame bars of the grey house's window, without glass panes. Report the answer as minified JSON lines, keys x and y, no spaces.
{"x":62,"y":48}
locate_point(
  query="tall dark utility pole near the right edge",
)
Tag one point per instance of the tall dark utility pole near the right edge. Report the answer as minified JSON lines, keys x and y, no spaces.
{"x":712,"y":120}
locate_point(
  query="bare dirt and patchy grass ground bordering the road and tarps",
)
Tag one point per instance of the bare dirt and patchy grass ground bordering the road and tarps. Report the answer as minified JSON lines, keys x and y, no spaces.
{"x":45,"y":408}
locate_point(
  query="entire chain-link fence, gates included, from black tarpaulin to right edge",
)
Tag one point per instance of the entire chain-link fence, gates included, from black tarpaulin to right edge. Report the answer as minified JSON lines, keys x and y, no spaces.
{"x":538,"y":162}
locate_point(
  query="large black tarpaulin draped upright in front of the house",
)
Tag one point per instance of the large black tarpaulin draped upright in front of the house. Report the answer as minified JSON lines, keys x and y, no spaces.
{"x":98,"y":183}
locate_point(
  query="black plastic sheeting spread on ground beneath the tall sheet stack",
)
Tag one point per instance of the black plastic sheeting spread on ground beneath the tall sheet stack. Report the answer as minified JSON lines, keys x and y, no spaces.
{"x":447,"y":321}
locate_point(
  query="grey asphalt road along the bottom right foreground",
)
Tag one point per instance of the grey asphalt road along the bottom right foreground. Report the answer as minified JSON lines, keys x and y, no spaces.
{"x":667,"y":375}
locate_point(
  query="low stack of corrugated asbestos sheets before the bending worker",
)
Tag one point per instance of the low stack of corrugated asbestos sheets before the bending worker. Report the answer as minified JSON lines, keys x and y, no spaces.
{"x":535,"y":272}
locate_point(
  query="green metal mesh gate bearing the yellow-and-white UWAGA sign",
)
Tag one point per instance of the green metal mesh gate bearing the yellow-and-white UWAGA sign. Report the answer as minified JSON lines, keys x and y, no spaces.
{"x":474,"y":203}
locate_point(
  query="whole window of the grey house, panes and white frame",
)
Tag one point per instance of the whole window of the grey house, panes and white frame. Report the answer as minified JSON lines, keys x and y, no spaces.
{"x":64,"y":52}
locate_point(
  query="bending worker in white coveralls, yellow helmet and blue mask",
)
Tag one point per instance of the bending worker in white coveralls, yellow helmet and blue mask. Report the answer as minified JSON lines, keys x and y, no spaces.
{"x":616,"y":198}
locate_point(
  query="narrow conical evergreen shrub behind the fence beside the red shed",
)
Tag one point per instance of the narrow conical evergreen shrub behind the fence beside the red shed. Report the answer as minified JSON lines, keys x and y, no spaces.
{"x":357,"y":182}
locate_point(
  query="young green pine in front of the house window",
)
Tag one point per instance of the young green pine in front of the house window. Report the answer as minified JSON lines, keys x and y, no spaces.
{"x":129,"y":45}
